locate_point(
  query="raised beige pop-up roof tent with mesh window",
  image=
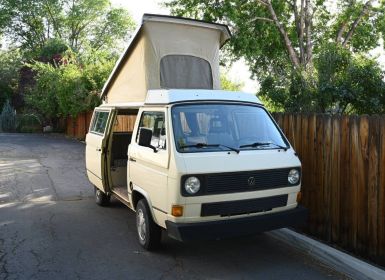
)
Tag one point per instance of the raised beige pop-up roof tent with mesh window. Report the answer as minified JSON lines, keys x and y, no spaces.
{"x":167,"y":53}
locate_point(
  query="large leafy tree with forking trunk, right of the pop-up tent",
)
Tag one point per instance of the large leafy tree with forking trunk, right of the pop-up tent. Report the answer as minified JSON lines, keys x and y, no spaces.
{"x":280,"y":40}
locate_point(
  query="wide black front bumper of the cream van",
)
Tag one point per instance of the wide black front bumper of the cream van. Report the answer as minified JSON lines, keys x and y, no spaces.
{"x":236,"y":227}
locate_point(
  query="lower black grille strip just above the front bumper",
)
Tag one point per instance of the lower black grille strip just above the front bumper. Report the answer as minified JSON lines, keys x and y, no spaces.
{"x":243,"y":206}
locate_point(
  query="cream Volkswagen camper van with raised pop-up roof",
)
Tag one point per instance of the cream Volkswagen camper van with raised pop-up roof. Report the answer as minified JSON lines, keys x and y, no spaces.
{"x":190,"y":159}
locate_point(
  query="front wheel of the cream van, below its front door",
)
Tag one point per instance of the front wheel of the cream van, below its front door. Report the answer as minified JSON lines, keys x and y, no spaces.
{"x":149,"y":233}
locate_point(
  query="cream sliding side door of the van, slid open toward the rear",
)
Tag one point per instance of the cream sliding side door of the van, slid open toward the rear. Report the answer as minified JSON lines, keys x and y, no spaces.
{"x":96,"y":147}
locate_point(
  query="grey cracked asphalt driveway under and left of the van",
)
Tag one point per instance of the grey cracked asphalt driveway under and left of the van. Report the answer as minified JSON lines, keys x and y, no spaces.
{"x":50,"y":228}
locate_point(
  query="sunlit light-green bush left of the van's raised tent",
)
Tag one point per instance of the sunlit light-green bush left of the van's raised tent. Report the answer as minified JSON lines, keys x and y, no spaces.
{"x":72,"y":87}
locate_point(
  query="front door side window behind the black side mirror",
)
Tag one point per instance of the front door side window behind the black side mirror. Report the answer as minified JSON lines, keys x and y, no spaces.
{"x":155,"y":122}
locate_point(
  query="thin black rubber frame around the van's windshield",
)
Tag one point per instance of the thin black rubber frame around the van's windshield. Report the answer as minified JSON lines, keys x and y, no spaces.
{"x":221,"y":148}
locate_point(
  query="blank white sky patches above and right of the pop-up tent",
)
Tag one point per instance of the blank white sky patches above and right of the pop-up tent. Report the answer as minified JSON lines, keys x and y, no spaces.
{"x":238,"y":72}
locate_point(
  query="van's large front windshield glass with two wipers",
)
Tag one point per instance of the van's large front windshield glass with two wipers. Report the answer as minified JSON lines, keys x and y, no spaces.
{"x":216,"y":127}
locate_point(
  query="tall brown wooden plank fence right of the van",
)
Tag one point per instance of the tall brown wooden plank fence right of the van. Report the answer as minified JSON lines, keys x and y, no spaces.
{"x":343,"y":184}
